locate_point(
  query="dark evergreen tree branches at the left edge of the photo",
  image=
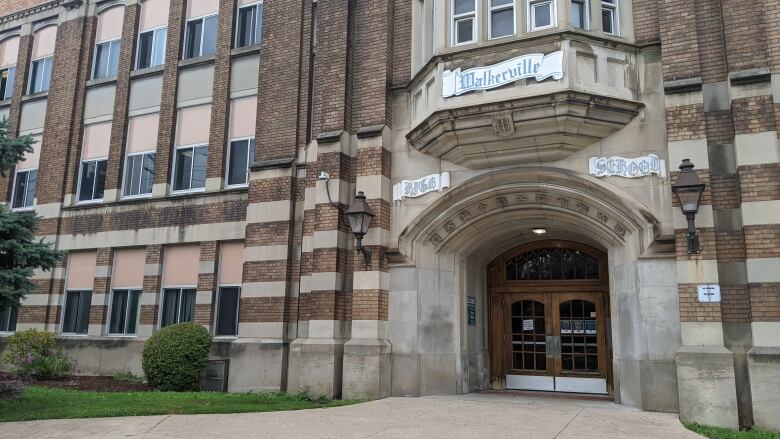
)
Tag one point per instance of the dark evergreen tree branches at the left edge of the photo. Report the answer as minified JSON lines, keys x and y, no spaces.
{"x":20,"y":252}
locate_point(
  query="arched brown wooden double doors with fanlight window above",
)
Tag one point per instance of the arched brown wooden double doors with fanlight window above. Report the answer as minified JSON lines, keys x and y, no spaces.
{"x":549,"y":307}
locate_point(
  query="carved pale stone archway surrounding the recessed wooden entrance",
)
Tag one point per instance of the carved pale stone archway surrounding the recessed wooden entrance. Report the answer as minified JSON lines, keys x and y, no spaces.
{"x":456,"y":236}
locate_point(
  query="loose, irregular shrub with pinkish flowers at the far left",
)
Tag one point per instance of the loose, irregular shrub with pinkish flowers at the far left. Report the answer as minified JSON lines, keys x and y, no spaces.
{"x":35,"y":354}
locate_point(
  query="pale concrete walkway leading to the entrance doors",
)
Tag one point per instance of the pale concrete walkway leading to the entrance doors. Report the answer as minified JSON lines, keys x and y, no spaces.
{"x":467,"y":416}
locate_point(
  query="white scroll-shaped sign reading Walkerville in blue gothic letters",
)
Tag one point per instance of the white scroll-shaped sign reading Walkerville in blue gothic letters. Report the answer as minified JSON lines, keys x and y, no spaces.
{"x":534,"y":65}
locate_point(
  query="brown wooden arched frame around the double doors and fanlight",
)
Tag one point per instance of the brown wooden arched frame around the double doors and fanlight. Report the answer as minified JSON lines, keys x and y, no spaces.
{"x":502,"y":293}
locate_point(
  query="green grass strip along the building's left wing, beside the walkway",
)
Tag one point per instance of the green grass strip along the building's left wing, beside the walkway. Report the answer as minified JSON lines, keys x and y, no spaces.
{"x":46,"y":403}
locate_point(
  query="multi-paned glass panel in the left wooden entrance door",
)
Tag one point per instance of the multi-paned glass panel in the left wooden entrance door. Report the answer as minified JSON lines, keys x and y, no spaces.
{"x":529,"y":350}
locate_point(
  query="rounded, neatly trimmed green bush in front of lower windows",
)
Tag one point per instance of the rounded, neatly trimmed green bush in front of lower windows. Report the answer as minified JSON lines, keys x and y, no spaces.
{"x":174,"y":357}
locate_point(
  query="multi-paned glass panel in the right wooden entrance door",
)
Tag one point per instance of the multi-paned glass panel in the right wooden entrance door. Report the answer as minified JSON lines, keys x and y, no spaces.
{"x":579,"y":338}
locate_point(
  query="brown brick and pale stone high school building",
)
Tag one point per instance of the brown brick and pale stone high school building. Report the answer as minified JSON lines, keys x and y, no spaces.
{"x":195,"y":159}
